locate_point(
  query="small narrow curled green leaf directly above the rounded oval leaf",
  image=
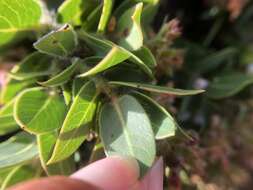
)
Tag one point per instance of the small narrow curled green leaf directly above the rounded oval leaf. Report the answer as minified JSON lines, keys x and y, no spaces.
{"x":62,"y":77}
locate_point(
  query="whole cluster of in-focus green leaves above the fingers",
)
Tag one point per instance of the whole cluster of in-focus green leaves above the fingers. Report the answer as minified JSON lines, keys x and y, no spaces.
{"x":91,"y":75}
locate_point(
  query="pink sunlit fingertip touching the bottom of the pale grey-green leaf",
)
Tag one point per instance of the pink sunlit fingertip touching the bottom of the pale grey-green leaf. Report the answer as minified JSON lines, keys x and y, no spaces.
{"x":112,"y":173}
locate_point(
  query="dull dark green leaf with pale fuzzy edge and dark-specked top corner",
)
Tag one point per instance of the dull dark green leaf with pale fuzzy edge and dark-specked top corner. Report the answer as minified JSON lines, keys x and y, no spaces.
{"x":61,"y":42}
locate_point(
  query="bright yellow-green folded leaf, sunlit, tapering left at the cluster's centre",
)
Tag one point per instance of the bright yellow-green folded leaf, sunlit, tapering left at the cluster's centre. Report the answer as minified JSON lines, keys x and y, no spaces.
{"x":114,"y":57}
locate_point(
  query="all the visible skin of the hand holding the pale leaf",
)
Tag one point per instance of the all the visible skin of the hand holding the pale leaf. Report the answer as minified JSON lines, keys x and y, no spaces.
{"x":112,"y":173}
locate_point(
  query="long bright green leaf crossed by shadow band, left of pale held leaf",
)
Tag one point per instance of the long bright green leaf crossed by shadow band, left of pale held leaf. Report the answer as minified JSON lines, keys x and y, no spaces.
{"x":75,"y":126}
